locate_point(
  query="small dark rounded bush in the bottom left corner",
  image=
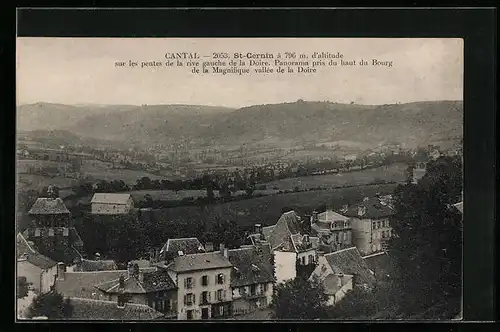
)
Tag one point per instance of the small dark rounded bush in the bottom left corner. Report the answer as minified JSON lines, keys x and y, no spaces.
{"x":51,"y":305}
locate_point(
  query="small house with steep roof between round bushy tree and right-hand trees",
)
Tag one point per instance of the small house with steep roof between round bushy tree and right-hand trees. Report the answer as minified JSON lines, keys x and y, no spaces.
{"x":342,"y":271}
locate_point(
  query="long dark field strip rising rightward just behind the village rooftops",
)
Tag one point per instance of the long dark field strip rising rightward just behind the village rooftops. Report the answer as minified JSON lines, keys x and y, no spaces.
{"x":267,"y":209}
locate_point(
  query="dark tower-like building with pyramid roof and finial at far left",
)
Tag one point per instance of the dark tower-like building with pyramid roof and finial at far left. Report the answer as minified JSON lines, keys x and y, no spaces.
{"x":52,"y":230}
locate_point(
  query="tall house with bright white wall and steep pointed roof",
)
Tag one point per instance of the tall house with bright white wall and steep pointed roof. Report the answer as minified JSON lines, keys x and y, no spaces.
{"x":290,"y":241}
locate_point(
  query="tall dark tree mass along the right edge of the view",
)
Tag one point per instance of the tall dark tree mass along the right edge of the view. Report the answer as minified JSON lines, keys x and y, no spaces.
{"x":427,"y":245}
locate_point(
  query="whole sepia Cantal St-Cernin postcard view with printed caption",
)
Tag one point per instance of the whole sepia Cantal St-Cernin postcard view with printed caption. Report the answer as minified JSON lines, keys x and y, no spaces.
{"x":239,"y":179}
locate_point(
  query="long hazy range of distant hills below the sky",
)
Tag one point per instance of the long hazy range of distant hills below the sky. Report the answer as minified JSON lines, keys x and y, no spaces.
{"x":417,"y":123}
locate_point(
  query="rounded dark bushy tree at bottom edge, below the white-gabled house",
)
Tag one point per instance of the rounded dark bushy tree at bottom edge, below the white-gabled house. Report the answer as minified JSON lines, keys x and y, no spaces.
{"x":299,"y":299}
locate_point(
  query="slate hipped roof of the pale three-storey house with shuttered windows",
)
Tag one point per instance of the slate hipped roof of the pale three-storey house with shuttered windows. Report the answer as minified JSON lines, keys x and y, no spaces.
{"x":196,"y":262}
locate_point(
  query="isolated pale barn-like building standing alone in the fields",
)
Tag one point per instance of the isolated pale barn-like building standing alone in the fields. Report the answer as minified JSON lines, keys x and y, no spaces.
{"x":111,"y":203}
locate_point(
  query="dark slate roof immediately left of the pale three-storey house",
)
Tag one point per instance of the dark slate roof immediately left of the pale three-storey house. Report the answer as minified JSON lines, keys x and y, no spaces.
{"x":152,"y":282}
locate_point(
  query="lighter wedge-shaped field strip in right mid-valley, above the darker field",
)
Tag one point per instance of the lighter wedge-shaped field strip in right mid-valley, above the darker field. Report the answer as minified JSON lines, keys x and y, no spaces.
{"x":392,"y":173}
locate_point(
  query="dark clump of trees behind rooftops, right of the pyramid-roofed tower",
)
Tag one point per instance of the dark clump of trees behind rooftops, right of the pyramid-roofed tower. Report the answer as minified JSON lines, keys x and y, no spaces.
{"x":128,"y":237}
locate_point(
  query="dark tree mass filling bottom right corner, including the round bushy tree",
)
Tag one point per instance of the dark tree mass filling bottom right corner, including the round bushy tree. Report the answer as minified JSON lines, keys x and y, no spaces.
{"x":426,"y":251}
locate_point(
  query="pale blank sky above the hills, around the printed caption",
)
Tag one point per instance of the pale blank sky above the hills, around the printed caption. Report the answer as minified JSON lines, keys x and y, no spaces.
{"x":82,"y":71}
